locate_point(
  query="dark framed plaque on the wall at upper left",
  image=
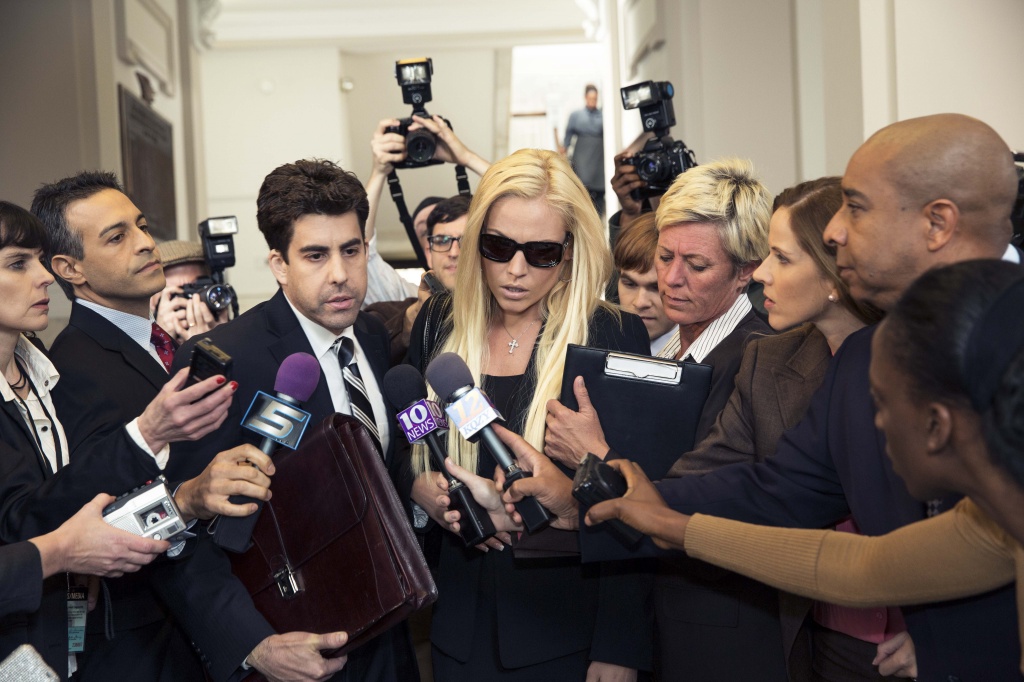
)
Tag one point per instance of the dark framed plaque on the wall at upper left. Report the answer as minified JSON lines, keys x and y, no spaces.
{"x":148,"y":157}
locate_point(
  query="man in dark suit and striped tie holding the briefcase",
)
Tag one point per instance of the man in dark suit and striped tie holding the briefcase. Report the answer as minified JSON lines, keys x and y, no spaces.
{"x":313,"y":216}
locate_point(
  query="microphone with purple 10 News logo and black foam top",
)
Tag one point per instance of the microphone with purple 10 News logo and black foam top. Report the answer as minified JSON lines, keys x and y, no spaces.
{"x":423,"y":421}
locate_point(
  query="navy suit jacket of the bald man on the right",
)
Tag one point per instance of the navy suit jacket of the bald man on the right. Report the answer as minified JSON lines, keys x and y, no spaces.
{"x":832,"y":464}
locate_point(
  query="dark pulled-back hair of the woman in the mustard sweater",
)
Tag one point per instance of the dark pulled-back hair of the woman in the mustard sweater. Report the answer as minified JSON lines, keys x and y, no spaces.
{"x":930,"y":333}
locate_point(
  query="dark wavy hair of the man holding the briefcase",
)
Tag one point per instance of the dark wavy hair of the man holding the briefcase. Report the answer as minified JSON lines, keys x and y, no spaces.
{"x":310,"y":187}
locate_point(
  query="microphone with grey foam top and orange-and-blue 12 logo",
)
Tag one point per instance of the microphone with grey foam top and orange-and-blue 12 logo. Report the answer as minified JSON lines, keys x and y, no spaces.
{"x":473,"y":413}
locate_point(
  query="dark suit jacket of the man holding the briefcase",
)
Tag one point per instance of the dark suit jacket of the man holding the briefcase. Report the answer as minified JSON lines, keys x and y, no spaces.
{"x":259,"y":342}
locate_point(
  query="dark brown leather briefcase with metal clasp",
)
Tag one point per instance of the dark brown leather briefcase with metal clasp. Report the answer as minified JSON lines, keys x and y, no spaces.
{"x":334,"y":549}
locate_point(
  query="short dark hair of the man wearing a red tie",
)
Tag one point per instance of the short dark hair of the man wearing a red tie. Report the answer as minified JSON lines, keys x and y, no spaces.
{"x":51,"y":205}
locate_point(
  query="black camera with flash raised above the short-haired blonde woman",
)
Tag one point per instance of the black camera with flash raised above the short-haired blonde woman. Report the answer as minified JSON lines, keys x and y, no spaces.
{"x":662,"y":159}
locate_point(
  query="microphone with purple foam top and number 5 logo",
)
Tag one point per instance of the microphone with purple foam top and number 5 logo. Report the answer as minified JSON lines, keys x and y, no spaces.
{"x":281,"y":421}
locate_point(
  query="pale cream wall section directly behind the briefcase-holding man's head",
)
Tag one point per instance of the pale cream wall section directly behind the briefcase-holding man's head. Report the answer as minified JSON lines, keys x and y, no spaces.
{"x":263,"y":109}
